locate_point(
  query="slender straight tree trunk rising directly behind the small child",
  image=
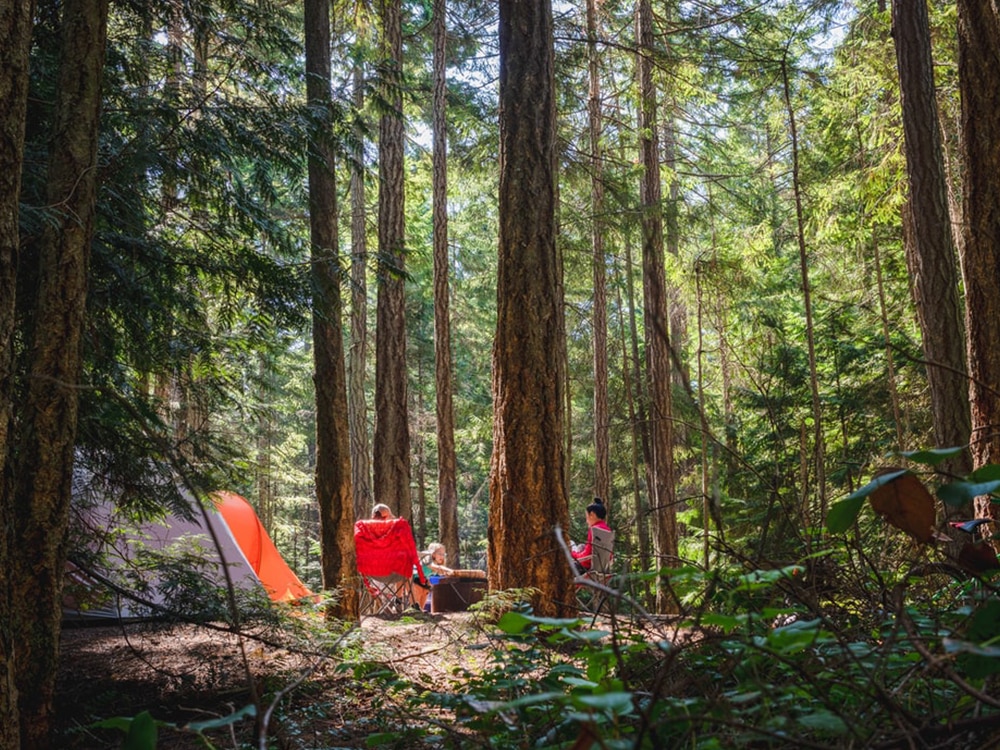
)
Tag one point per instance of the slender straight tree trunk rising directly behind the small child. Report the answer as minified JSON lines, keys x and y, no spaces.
{"x":447,"y":469}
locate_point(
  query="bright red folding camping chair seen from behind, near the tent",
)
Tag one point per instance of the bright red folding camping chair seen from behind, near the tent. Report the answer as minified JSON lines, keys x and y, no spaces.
{"x":387,"y":557}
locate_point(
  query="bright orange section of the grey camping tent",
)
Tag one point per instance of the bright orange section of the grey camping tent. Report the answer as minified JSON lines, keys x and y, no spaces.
{"x":280,"y":582}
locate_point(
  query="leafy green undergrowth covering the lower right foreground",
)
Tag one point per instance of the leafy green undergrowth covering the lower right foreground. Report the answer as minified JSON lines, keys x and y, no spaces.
{"x":735,"y":674}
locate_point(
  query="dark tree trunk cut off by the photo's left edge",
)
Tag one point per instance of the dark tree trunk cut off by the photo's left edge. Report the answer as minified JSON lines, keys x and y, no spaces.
{"x":15,"y":44}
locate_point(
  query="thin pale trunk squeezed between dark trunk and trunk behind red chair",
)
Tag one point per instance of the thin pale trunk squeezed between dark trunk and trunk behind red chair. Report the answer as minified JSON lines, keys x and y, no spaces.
{"x":357,"y":362}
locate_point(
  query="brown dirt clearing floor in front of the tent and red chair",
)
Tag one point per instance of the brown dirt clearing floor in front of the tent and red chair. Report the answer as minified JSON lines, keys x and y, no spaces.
{"x":184,"y":673}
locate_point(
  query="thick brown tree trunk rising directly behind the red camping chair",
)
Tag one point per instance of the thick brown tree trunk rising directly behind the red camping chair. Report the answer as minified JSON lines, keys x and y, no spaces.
{"x":392,"y":432}
